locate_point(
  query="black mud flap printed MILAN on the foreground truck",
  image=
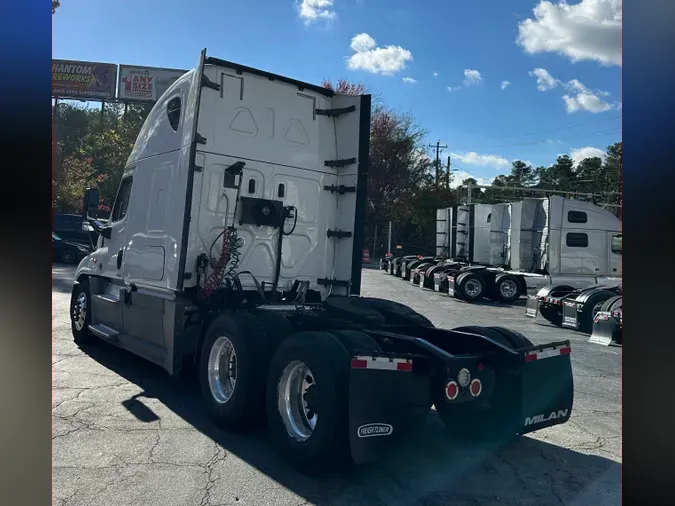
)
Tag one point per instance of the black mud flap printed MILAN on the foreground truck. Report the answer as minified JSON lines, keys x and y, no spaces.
{"x":547,"y":386}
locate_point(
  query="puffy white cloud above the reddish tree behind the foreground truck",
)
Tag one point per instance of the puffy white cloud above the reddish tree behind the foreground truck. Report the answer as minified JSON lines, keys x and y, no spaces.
{"x":377,"y":60}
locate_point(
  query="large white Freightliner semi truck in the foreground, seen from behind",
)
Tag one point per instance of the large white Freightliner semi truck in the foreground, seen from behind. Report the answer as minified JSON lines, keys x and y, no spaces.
{"x":234,"y":245}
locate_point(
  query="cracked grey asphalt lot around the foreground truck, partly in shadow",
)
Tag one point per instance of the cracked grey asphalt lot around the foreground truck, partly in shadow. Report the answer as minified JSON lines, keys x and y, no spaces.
{"x":125,"y":433}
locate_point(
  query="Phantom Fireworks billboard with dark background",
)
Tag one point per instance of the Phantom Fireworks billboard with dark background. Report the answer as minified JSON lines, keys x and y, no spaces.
{"x":83,"y":80}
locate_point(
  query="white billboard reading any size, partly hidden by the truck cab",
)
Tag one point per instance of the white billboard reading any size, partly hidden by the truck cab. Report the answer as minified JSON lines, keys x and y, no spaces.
{"x":145,"y":84}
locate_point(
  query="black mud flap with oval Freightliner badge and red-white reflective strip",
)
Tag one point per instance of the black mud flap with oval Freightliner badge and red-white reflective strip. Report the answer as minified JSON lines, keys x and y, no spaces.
{"x":384,"y":404}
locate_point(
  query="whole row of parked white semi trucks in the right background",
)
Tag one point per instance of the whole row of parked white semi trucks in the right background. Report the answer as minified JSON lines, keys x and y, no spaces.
{"x":564,"y":255}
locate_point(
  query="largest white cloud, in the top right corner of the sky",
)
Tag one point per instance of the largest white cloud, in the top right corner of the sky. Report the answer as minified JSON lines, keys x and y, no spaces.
{"x":587,"y":30}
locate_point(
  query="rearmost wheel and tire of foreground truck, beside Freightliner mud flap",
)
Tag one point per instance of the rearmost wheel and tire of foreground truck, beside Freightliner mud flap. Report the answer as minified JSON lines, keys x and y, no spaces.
{"x":308,"y":419}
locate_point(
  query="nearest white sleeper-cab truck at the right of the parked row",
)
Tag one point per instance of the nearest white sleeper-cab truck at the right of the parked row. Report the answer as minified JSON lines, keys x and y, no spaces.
{"x":548,"y":241}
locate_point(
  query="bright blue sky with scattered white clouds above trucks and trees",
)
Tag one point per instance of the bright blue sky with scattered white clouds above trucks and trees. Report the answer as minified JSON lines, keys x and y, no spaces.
{"x":562,"y":61}
